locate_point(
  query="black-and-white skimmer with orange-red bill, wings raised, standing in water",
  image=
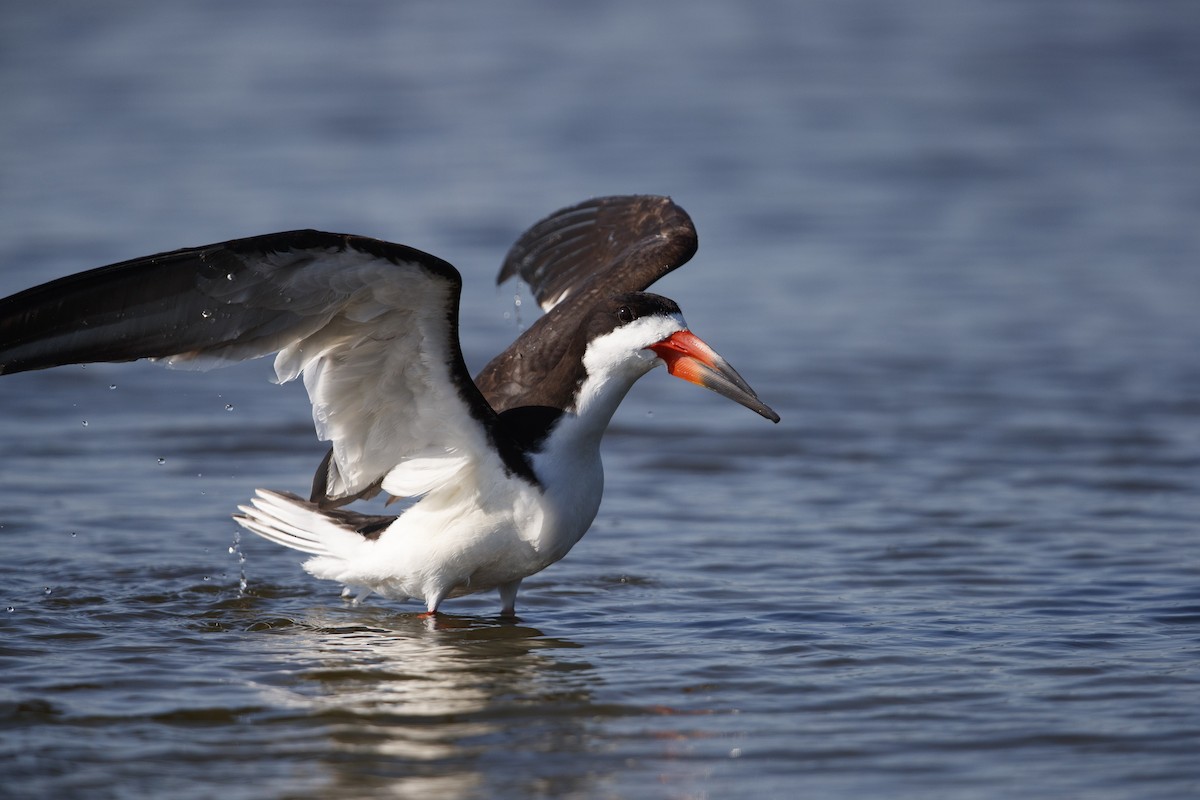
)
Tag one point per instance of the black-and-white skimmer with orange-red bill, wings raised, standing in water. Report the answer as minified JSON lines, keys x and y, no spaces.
{"x":502,"y":473}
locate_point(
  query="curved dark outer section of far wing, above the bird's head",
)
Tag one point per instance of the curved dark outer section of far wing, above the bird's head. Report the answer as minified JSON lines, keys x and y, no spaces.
{"x":604,"y":246}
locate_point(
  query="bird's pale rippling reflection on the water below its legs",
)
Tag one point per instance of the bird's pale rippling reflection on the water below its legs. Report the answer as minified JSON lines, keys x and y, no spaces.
{"x":449,"y":707}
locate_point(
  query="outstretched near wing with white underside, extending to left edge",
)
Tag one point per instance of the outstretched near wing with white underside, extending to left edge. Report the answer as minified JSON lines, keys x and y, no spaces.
{"x":371,"y":326}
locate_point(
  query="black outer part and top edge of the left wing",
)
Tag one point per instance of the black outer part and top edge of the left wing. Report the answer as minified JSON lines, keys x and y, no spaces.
{"x":214,"y":304}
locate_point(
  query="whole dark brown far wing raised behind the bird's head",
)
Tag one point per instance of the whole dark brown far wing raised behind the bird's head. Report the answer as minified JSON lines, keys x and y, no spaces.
{"x":573,"y":261}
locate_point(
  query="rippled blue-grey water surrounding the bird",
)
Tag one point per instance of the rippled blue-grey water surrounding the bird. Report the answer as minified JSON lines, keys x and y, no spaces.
{"x":955,"y":245}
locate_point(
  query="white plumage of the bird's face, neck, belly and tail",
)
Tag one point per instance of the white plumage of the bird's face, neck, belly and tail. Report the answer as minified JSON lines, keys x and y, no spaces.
{"x":477,"y":528}
